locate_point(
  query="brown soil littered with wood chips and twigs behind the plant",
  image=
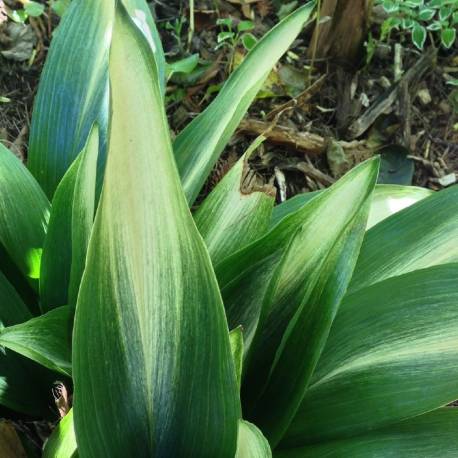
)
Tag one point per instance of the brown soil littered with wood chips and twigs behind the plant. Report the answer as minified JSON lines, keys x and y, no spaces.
{"x":300,"y":98}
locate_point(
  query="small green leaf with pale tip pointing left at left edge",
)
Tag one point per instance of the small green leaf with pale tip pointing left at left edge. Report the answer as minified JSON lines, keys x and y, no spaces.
{"x":45,"y":339}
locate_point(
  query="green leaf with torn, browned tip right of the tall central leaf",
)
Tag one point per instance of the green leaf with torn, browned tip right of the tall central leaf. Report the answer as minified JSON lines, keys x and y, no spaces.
{"x":236,"y":212}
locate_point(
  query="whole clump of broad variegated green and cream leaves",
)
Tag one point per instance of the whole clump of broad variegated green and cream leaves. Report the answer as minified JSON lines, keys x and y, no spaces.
{"x":241,"y":330}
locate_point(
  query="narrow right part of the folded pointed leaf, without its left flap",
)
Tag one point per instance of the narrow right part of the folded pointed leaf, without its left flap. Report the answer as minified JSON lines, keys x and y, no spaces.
{"x":303,"y":299}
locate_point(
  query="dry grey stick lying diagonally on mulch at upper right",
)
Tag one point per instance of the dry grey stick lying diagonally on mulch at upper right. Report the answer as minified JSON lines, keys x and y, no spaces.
{"x":385,"y":102}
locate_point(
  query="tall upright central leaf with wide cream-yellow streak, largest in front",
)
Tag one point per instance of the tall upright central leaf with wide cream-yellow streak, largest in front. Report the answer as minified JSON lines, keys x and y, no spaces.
{"x":149,"y":317}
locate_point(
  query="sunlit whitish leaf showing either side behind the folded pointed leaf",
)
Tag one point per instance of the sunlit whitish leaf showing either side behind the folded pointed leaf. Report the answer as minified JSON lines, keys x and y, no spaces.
{"x":387,"y":200}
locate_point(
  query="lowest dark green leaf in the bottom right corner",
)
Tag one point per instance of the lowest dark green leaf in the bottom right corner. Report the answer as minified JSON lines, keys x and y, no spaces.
{"x":433,"y":435}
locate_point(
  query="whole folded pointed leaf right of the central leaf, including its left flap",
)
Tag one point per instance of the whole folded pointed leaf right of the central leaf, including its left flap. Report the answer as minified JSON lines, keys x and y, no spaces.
{"x":270,"y":286}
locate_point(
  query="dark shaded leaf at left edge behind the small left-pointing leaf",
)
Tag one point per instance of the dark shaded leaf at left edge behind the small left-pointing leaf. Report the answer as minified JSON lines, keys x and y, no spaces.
{"x":21,"y":384}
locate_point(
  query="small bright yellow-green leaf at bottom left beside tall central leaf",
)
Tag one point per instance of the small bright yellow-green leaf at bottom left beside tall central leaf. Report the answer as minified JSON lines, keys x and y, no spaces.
{"x":62,"y":442}
